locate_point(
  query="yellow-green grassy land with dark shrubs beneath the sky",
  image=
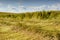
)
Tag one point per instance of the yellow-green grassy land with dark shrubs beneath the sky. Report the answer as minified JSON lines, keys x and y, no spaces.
{"x":43,"y":25}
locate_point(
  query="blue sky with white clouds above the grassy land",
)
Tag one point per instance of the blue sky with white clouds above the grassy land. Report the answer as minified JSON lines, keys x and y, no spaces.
{"x":28,"y":5}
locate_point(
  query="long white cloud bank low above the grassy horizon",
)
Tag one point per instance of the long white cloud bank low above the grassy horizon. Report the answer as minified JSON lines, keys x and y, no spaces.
{"x":22,"y":8}
